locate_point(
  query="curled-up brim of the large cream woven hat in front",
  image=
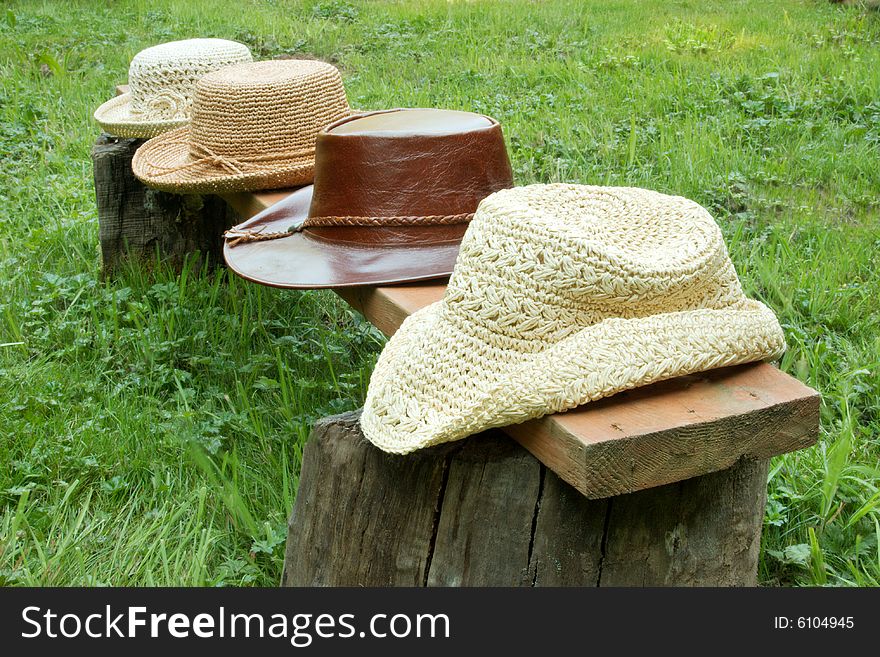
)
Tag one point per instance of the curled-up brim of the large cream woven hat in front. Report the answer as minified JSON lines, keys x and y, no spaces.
{"x":423,"y":392}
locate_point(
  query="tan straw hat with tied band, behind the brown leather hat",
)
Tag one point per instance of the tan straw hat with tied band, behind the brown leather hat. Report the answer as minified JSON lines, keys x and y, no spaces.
{"x":253,"y":127}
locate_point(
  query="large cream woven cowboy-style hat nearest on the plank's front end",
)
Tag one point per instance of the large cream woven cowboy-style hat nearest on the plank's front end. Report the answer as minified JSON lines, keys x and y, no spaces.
{"x":561,"y":295}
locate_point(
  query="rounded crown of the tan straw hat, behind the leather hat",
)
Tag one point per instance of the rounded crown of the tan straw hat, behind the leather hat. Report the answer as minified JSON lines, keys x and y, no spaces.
{"x":266,"y":108}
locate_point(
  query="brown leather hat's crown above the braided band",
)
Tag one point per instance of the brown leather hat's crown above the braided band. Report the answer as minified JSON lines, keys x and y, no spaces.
{"x":409,"y":162}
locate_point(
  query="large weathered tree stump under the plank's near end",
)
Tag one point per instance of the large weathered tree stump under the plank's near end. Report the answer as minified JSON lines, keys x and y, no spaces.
{"x":485,"y":512}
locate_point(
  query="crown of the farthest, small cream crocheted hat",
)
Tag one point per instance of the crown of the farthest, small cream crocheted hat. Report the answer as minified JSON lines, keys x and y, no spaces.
{"x":162,"y":78}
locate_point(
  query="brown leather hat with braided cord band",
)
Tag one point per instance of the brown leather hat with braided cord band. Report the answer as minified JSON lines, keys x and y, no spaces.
{"x":393,"y":193}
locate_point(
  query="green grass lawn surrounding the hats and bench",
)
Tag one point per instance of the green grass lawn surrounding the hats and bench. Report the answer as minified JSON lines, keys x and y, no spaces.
{"x":151,"y":426}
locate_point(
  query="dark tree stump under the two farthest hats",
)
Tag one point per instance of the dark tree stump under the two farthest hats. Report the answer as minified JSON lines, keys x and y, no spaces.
{"x":145,"y":224}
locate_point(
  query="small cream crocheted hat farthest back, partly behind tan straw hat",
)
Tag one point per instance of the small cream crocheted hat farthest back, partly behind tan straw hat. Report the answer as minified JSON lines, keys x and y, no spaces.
{"x":161,"y":82}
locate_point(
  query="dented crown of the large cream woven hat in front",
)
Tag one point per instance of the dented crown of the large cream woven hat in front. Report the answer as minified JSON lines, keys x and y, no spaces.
{"x":539,"y":263}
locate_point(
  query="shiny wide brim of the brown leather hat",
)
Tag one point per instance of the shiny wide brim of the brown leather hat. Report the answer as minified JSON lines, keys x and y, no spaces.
{"x":340,"y":257}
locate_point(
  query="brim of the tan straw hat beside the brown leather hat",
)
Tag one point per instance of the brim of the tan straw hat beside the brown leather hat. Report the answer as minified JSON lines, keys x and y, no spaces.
{"x":165,"y":163}
